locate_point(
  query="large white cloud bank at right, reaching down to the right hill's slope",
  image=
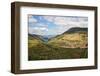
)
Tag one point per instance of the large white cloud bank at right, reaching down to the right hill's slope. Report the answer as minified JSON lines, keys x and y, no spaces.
{"x":65,"y":23}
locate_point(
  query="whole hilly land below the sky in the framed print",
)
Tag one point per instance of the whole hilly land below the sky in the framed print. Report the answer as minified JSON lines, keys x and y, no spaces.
{"x":72,"y":44}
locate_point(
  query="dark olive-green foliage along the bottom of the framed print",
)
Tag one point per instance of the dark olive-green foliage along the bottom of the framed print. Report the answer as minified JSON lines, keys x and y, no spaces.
{"x":46,"y":52}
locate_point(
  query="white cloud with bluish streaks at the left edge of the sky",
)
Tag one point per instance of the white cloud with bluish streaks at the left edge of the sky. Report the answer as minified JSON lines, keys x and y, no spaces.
{"x":35,"y":27}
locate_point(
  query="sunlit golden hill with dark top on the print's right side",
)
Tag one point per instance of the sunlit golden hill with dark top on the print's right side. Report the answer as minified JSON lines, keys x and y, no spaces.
{"x":73,"y":38}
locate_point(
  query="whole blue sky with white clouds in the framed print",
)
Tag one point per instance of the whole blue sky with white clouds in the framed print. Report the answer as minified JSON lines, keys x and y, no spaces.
{"x":54,"y":25}
